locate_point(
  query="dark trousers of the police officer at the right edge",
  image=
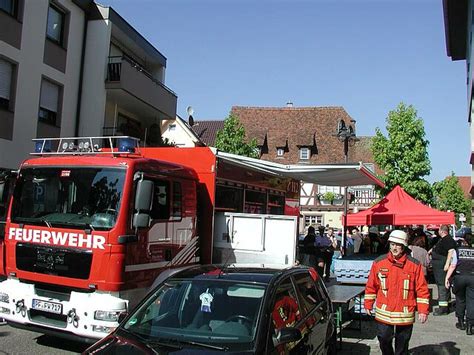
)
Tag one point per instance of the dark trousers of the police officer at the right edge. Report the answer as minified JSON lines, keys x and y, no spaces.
{"x":463,"y":288}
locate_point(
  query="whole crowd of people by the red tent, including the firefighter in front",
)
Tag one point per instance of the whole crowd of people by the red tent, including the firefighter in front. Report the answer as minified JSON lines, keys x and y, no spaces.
{"x":397,"y":286}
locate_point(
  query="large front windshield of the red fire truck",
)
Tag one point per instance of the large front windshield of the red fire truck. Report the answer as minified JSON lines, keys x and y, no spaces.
{"x":68,"y":197}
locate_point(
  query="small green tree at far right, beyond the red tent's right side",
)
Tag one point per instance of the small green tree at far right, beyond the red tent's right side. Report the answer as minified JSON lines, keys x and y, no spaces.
{"x":448,"y":195}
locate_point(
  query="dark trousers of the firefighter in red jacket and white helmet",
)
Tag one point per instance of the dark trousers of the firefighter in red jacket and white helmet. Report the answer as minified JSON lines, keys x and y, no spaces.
{"x":401,"y":333}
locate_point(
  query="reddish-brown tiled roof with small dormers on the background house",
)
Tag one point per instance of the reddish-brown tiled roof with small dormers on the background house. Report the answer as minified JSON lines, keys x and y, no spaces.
{"x":313,"y":127}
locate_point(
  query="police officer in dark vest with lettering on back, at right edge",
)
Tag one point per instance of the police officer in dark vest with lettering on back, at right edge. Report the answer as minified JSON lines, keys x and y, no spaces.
{"x":463,"y":287}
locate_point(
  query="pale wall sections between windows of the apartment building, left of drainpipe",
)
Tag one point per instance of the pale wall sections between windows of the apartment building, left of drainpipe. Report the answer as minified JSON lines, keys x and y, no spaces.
{"x":30,"y":69}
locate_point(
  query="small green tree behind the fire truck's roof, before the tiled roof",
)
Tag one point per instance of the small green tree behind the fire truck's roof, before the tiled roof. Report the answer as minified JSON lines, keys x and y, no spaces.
{"x":232,"y":139}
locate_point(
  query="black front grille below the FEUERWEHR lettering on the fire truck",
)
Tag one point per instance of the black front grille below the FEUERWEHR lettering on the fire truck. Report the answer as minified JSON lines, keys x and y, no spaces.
{"x":65,"y":262}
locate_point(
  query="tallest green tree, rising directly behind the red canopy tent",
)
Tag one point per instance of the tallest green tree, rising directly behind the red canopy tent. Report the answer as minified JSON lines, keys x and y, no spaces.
{"x":403,"y":154}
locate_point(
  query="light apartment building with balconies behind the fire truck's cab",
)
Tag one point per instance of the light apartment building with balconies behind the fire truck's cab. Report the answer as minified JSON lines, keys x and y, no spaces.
{"x":75,"y":68}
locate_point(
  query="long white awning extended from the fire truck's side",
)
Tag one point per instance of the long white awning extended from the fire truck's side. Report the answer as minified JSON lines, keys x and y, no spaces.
{"x":330,"y":174}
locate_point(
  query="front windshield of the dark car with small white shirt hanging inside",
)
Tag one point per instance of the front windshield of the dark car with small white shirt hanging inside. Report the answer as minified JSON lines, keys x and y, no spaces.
{"x":211,"y":311}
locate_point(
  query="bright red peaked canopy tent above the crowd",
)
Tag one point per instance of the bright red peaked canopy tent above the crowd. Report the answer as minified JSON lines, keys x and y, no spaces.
{"x":399,"y":208}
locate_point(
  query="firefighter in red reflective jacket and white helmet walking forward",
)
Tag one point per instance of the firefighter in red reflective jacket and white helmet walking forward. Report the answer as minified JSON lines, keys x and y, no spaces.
{"x":398,"y":287}
